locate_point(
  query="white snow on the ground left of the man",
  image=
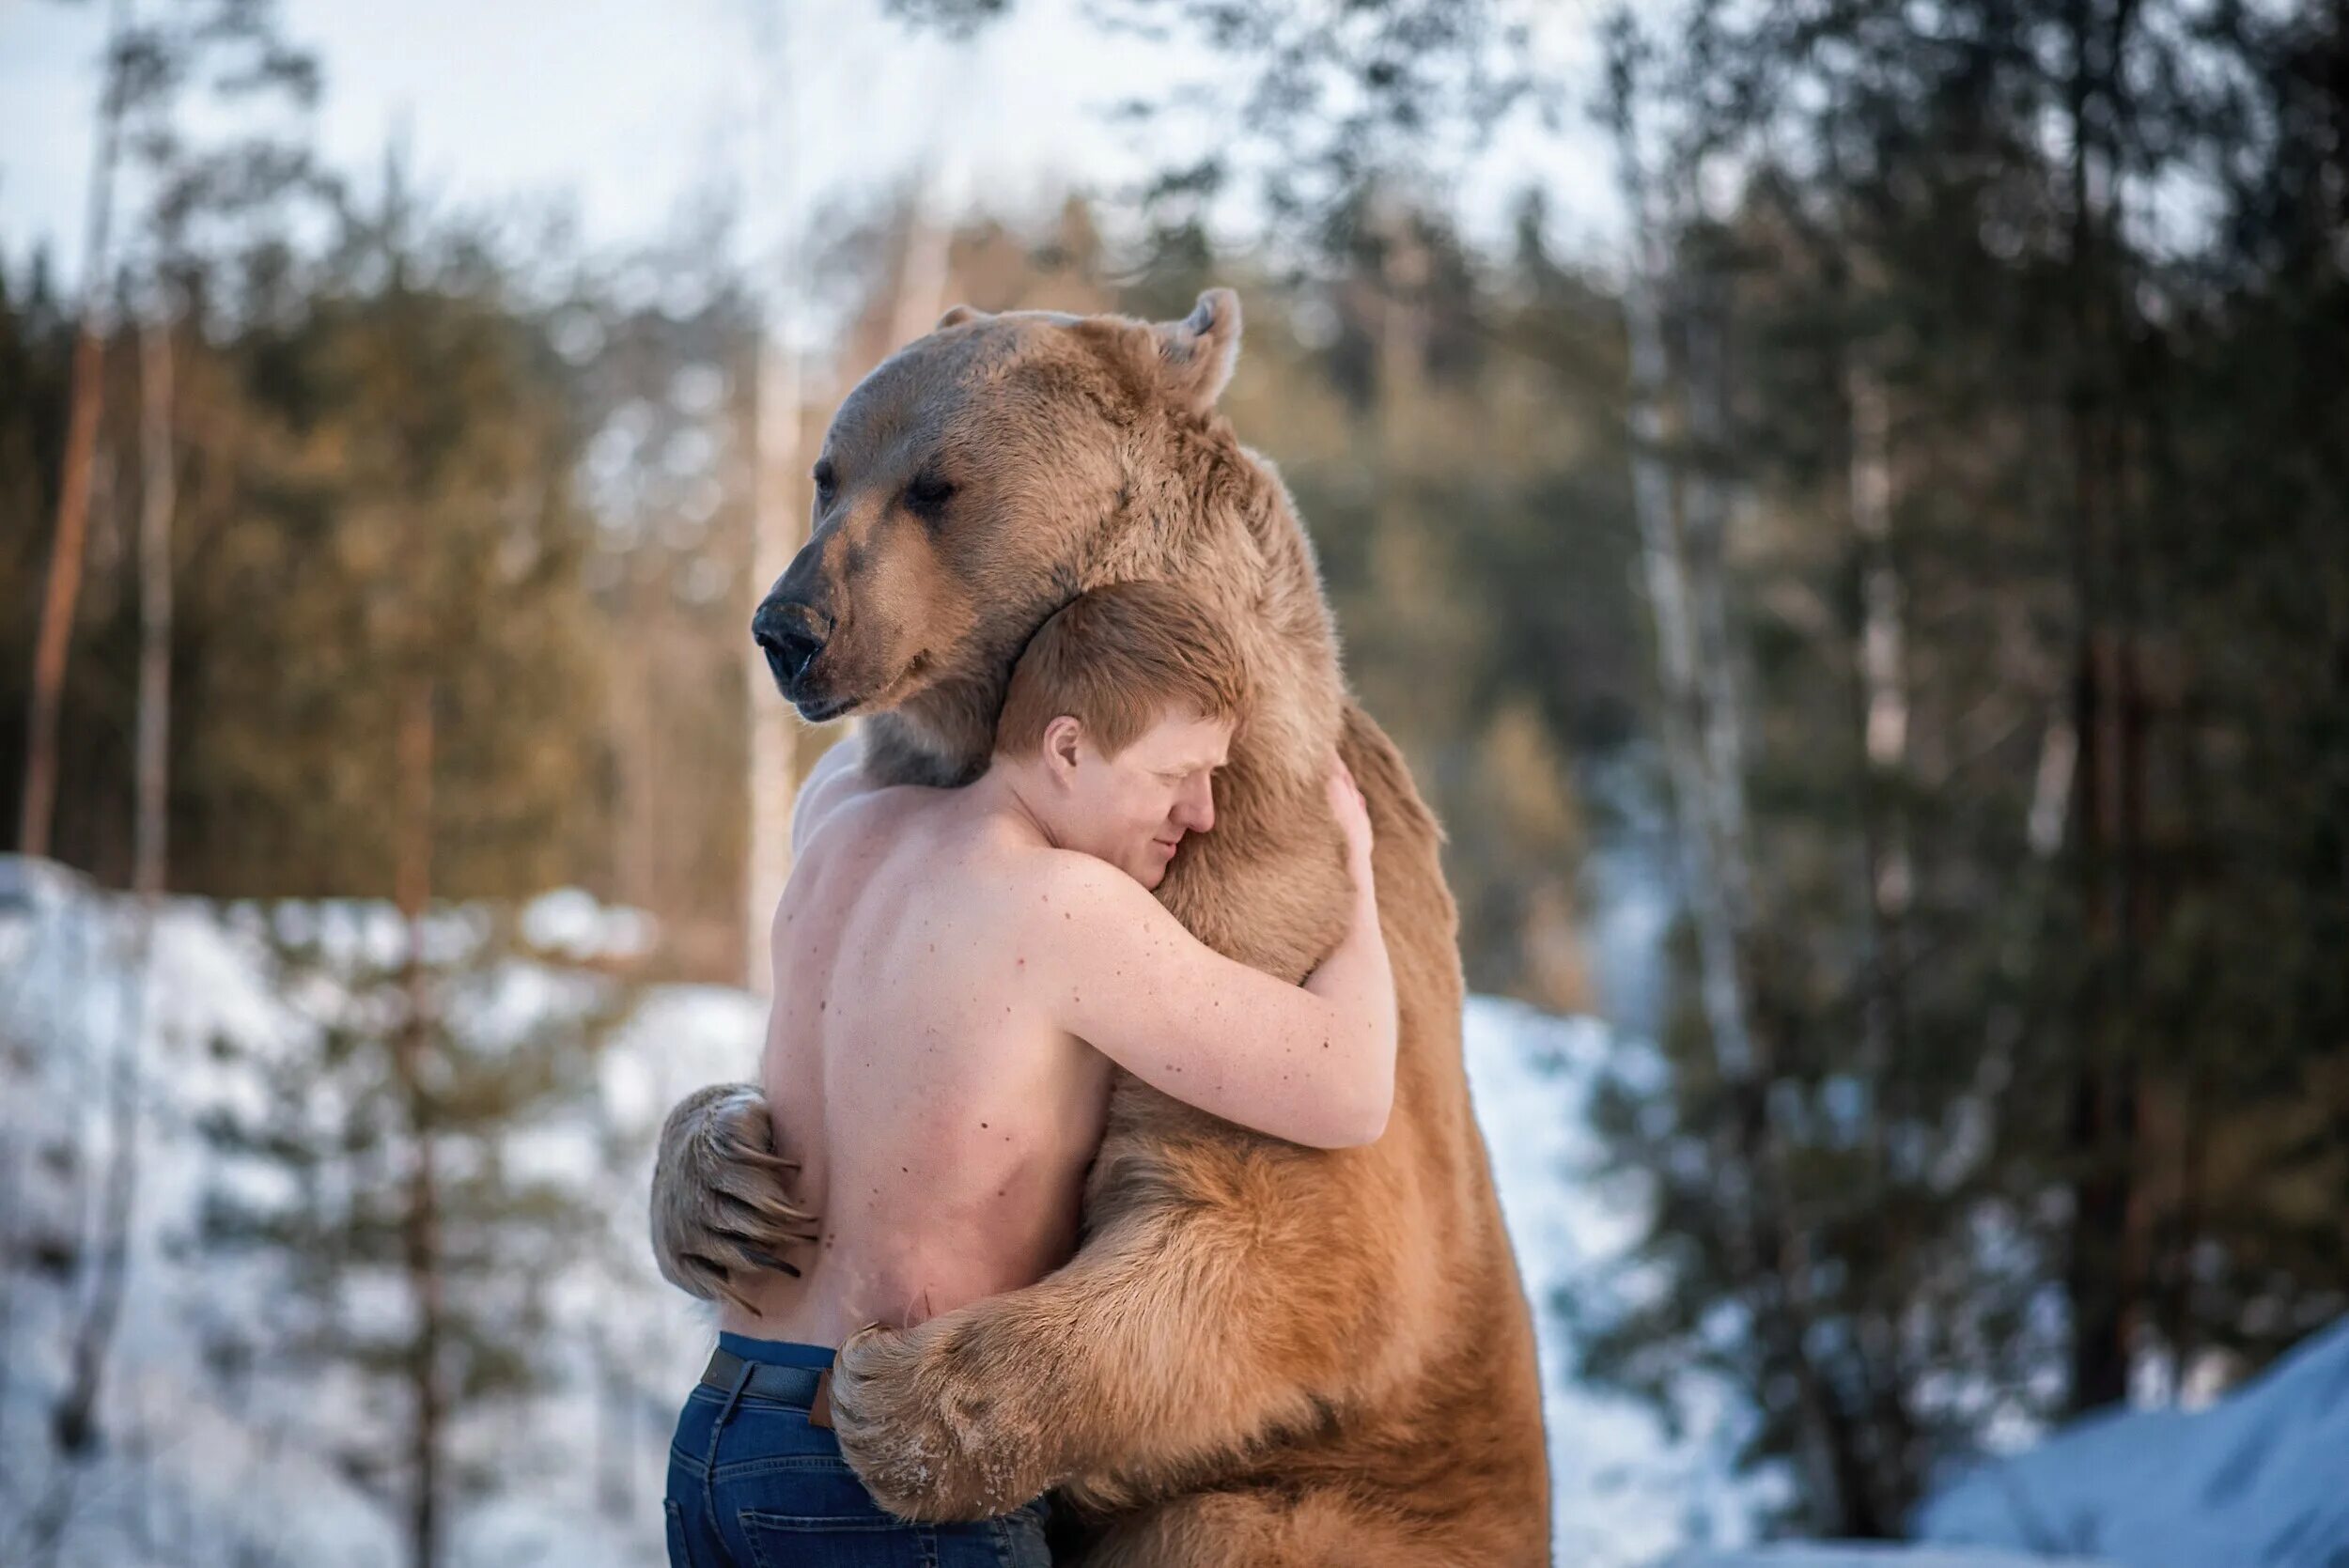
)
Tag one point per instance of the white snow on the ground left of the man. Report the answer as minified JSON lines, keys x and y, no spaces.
{"x":206,"y":1466}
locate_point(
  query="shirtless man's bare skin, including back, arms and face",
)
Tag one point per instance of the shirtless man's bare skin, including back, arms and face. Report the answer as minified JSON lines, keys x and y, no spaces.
{"x":957,"y":971}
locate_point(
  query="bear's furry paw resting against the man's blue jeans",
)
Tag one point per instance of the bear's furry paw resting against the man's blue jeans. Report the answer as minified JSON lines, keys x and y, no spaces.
{"x":950,"y":1419}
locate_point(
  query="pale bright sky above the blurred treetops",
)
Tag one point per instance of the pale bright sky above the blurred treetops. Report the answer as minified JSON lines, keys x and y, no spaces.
{"x":628,"y":114}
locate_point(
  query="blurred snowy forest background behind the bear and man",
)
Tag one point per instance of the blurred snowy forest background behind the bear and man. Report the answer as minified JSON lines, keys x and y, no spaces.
{"x":1871,"y":616}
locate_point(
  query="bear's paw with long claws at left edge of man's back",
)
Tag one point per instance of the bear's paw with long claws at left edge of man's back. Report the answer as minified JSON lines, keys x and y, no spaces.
{"x":722,"y":1208}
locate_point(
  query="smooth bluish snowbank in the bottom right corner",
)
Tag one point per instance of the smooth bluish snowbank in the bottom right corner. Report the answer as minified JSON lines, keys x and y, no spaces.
{"x":2261,"y":1480}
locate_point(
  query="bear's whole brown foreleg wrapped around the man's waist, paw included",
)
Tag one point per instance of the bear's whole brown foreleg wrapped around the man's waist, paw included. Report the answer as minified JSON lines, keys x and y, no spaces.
{"x":1180,"y":1334}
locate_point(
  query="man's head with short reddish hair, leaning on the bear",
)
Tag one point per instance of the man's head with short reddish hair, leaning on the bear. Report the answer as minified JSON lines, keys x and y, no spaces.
{"x":1117,"y":719}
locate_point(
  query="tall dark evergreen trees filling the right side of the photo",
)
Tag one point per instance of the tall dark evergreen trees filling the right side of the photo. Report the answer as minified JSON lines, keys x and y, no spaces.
{"x":2045,"y":961}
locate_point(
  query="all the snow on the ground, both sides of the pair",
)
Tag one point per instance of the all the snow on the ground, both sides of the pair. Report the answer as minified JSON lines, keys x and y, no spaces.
{"x":206,"y":1468}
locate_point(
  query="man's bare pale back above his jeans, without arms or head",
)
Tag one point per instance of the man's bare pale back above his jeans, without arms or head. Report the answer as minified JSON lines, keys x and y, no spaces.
{"x":943,"y":1118}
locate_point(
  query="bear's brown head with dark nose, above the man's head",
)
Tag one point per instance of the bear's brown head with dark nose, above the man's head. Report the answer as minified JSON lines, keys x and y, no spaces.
{"x":974,"y":485}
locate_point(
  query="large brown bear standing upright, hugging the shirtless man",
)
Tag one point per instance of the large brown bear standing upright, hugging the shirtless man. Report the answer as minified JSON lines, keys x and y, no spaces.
{"x":1260,"y":1353}
